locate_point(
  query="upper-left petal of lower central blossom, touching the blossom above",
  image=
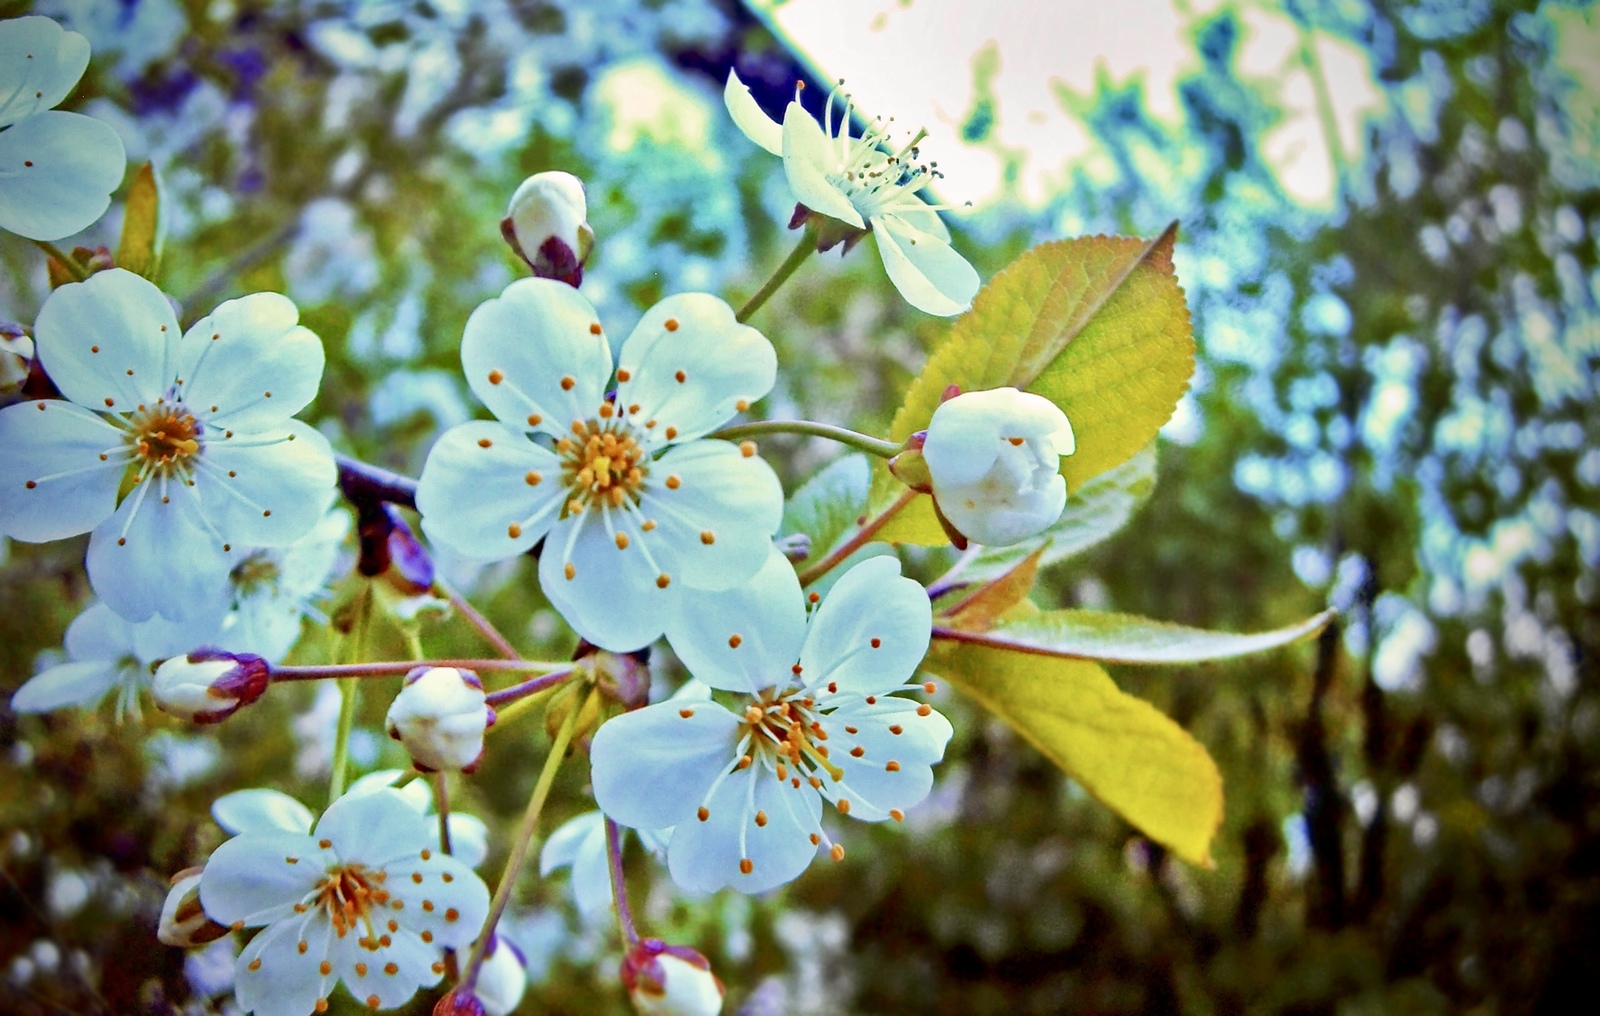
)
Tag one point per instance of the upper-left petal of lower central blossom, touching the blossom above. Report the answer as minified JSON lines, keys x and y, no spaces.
{"x":746,"y":638}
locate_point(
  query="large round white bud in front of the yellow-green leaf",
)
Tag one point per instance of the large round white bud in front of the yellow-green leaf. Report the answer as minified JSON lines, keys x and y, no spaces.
{"x":994,"y":462}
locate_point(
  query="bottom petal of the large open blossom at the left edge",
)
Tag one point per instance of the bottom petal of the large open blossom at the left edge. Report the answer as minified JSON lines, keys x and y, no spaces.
{"x":159,"y":559}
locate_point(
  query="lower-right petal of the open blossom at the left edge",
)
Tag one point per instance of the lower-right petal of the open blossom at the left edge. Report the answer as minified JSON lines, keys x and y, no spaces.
{"x":266,"y":489}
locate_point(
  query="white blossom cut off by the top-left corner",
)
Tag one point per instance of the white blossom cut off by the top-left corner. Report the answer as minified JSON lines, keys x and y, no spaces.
{"x":57,"y":169}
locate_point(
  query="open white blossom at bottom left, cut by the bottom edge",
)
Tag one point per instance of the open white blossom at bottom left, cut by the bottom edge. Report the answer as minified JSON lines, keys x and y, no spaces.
{"x":364,"y":900}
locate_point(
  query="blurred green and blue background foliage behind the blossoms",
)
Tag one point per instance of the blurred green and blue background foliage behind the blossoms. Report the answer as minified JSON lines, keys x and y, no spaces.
{"x":1394,"y":414}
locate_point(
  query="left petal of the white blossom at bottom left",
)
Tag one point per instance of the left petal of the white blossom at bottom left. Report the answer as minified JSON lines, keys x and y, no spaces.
{"x":250,"y":878}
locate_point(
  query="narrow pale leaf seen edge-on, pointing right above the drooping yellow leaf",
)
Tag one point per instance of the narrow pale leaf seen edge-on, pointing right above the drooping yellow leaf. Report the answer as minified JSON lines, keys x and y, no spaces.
{"x":1127,"y":639}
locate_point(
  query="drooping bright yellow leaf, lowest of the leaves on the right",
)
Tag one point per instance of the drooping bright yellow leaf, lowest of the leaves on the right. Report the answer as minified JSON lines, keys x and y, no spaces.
{"x":1121,"y":750}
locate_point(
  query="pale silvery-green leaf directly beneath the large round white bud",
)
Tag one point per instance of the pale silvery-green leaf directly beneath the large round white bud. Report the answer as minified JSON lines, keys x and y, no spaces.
{"x":1095,"y":513}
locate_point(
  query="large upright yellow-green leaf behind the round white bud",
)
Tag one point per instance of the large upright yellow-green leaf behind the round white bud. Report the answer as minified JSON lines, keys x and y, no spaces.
{"x":1098,"y":326}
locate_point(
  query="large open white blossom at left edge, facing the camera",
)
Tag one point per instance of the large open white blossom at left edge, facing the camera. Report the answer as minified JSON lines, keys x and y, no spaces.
{"x":177,"y":450}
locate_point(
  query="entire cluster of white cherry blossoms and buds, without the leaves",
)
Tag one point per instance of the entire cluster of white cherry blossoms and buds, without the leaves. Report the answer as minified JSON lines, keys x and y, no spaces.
{"x":214,"y":530}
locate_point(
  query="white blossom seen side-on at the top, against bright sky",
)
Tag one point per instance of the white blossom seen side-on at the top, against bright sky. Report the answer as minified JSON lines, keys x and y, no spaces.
{"x":863,"y":185}
